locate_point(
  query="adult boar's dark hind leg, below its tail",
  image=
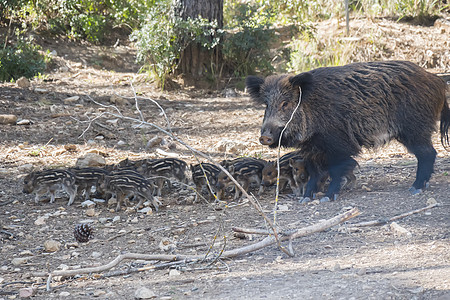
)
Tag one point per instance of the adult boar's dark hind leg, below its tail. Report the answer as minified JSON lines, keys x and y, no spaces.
{"x":426,"y":156}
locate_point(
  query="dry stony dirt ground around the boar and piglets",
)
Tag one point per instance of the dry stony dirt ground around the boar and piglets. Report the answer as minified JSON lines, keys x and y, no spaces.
{"x":373,"y":263}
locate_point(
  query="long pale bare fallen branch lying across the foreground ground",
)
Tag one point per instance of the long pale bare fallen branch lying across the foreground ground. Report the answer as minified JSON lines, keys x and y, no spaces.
{"x":269,"y":240}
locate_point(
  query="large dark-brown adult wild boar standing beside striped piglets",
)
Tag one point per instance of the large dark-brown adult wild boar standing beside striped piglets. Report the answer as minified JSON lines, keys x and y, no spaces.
{"x":343,"y":109}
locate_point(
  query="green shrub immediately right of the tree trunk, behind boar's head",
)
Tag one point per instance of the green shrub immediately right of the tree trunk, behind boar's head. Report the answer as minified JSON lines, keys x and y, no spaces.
{"x":246,"y":48}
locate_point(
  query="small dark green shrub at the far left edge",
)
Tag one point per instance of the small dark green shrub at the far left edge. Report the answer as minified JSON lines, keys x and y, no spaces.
{"x":23,"y":59}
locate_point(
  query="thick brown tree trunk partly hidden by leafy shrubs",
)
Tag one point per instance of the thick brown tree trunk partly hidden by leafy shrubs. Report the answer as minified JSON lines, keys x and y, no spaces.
{"x":196,"y":62}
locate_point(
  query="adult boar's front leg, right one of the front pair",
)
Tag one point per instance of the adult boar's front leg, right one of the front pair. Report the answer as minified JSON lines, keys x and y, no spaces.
{"x":337,"y":171}
